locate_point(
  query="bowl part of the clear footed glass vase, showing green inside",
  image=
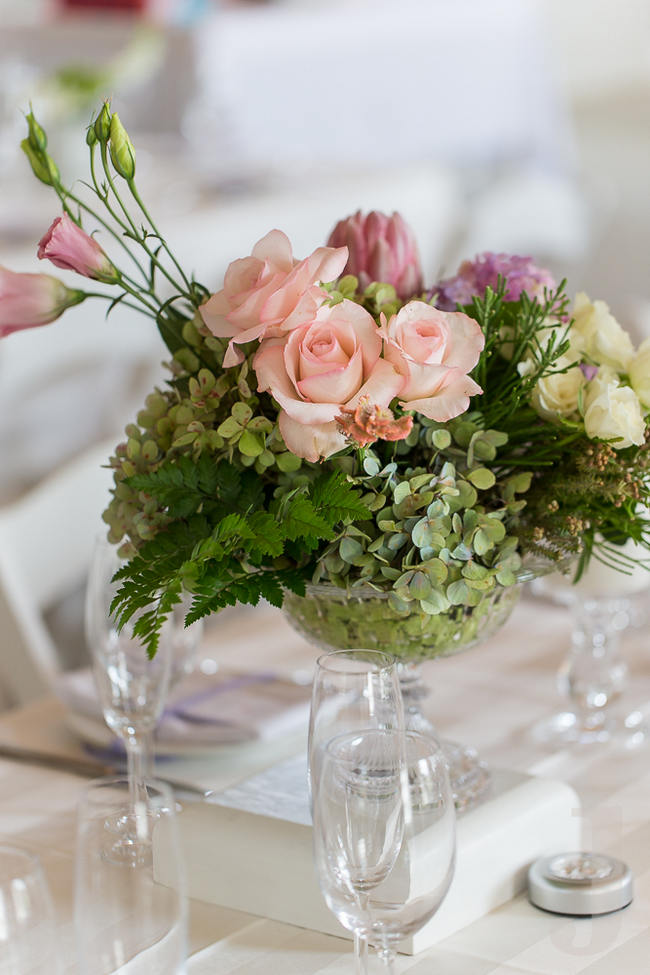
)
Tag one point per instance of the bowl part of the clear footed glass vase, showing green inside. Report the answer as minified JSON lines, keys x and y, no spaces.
{"x":342,"y":619}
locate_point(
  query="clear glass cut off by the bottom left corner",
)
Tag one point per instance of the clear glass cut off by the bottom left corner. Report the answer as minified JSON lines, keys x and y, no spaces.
{"x":26,"y":916}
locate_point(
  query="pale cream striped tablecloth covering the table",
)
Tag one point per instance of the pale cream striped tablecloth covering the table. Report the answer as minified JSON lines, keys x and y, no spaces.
{"x":491,"y":697}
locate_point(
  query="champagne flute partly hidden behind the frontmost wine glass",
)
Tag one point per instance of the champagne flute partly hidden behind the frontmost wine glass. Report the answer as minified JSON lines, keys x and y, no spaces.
{"x":353,"y":691}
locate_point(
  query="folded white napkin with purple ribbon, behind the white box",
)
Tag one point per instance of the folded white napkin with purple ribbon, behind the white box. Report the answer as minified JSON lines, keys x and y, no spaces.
{"x":222,"y":708}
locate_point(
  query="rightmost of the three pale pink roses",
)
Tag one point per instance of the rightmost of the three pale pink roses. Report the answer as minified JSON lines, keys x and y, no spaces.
{"x":434,"y":351}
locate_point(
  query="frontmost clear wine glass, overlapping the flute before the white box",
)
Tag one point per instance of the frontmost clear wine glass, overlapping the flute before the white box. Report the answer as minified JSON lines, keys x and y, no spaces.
{"x":384,"y":833}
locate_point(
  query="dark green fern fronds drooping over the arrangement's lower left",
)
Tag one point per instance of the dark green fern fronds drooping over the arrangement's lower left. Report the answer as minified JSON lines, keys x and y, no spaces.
{"x":225,"y":540}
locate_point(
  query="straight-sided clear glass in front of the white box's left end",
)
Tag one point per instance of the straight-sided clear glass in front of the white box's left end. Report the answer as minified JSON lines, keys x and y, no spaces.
{"x":125,"y":920}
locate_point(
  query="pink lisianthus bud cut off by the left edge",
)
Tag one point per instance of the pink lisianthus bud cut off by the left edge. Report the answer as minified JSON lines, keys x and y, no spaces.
{"x":28,"y":300}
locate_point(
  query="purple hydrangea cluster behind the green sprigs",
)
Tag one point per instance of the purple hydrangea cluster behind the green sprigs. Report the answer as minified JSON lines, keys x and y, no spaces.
{"x":473,"y":277}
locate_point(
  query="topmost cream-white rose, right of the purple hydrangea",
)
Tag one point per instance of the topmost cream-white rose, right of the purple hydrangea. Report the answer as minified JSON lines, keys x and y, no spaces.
{"x":596,"y":333}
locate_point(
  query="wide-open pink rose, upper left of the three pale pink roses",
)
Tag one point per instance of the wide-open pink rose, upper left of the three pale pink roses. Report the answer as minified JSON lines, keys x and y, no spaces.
{"x":261,"y":292}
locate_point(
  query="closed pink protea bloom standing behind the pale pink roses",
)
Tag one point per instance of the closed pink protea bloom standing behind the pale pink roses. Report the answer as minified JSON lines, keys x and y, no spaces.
{"x":381,"y":248}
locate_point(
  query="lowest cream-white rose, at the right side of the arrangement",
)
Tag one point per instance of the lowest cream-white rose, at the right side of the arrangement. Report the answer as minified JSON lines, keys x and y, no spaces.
{"x":612,"y":411}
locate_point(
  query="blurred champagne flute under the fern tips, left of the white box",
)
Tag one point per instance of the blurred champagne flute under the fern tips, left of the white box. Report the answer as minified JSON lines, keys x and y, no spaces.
{"x":132,"y":689}
